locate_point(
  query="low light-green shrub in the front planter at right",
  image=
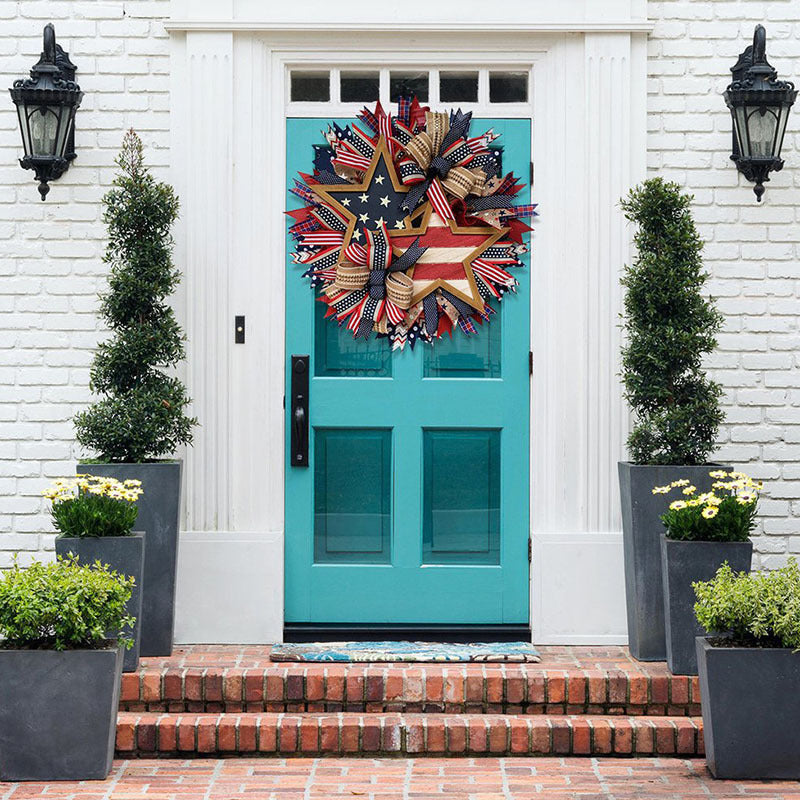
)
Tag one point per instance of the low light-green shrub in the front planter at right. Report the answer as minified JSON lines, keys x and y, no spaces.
{"x":758,"y":609}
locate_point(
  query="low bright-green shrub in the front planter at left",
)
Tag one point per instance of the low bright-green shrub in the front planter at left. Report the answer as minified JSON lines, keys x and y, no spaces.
{"x":63,"y":605}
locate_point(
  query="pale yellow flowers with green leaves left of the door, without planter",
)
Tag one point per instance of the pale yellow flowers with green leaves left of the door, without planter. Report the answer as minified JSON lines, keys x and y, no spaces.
{"x":94,"y":505}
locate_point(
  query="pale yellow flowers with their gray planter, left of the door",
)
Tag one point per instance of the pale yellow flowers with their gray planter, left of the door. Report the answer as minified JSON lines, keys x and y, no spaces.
{"x":94,"y":517}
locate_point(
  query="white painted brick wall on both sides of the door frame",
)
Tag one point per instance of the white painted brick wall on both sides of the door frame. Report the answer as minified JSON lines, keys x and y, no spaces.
{"x":50,"y":253}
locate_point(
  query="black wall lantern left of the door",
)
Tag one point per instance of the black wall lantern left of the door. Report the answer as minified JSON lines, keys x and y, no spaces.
{"x":46,"y":104}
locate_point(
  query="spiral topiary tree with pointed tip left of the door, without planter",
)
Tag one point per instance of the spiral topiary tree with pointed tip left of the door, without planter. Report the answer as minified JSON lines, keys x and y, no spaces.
{"x":140,"y":415}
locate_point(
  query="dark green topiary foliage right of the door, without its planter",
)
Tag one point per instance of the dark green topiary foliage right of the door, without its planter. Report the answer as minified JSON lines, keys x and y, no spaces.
{"x":669,"y":327}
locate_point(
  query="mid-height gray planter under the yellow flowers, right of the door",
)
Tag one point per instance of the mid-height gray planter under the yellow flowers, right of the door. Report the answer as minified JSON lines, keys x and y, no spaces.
{"x":681,"y":564}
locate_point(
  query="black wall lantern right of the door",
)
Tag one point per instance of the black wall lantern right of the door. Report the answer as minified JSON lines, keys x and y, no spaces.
{"x":759,"y":105}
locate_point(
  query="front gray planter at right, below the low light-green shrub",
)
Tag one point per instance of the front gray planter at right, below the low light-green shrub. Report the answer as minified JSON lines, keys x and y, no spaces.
{"x":751,"y":708}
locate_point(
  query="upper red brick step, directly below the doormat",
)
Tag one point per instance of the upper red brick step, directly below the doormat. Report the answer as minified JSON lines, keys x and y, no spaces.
{"x":429,"y":688}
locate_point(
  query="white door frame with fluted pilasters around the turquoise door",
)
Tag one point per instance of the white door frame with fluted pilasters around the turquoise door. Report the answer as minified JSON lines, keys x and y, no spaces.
{"x":588,"y":108}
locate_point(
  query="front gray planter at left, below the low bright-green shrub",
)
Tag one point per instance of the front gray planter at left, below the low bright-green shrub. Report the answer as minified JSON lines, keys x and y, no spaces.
{"x":58,"y":713}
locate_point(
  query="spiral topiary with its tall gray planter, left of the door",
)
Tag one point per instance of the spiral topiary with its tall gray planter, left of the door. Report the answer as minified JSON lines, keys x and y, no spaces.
{"x":140,"y":418}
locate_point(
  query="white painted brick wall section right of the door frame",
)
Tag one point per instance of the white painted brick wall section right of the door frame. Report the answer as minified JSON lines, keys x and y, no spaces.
{"x":752,"y":250}
